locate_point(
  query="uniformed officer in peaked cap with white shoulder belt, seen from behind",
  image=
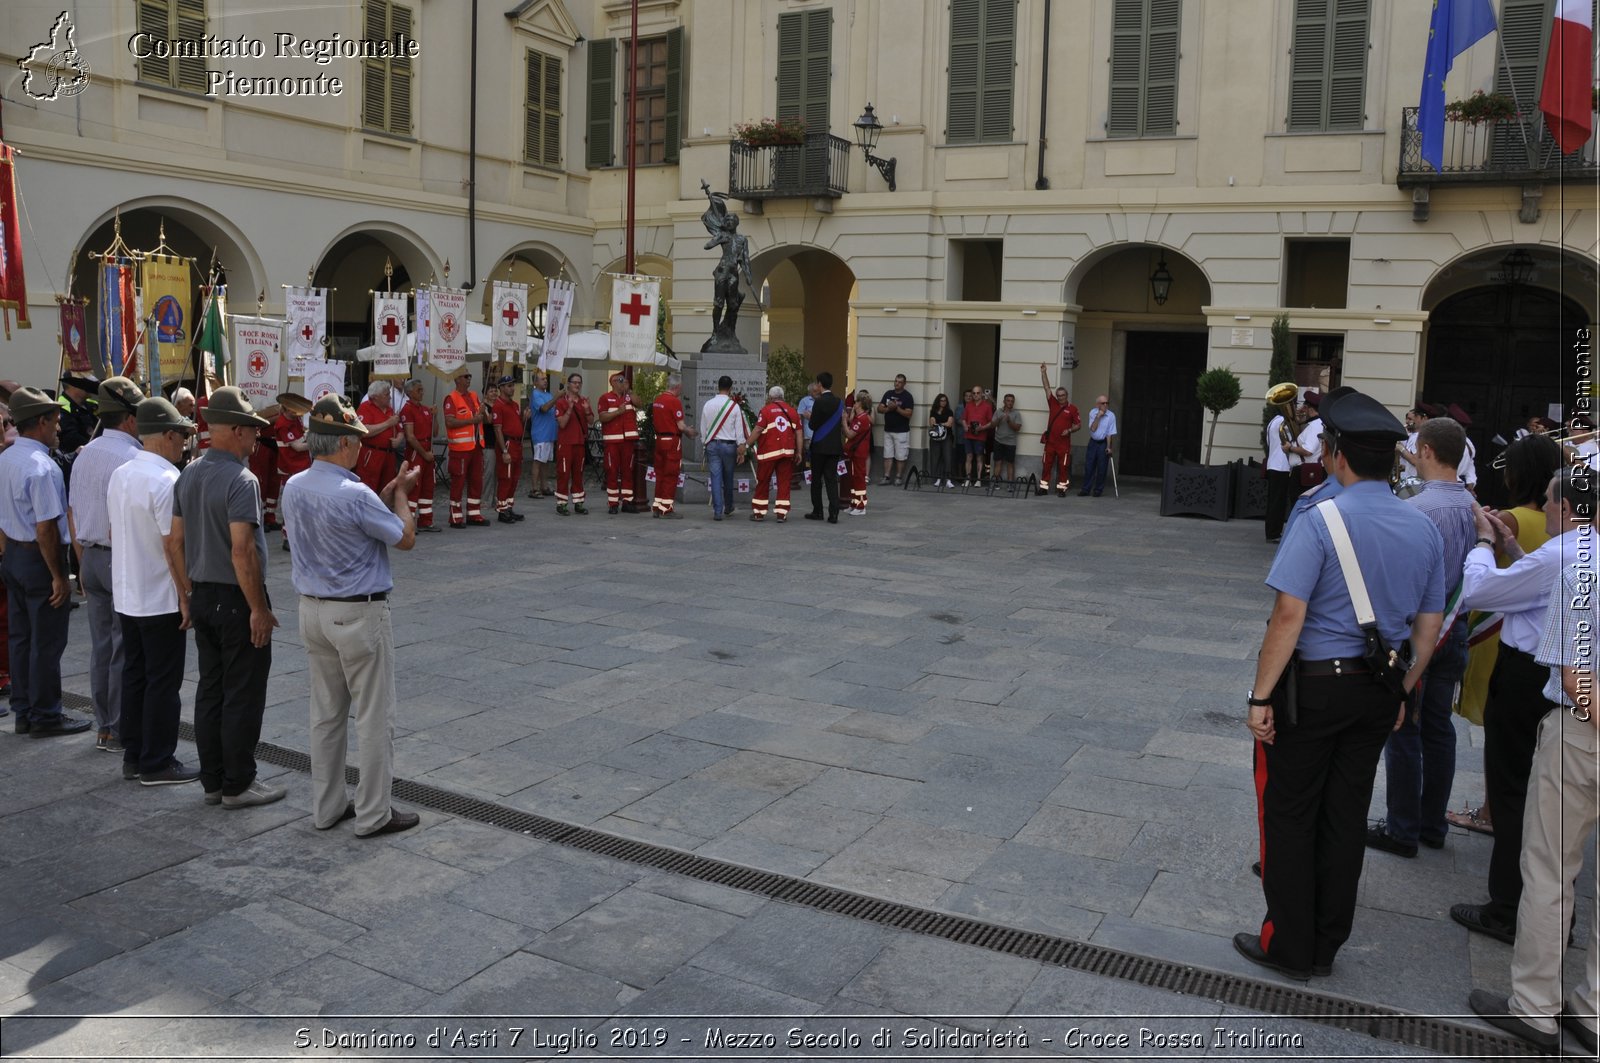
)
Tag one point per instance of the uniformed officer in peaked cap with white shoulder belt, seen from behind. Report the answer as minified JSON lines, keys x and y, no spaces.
{"x":1314,"y":772}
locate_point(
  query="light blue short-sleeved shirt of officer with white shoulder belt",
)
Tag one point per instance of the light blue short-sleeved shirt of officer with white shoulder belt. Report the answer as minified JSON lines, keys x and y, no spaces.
{"x":1402,"y":560}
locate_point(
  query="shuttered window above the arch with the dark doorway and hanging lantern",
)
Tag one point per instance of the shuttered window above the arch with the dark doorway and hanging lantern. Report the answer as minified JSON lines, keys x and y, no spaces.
{"x":1145,"y":68}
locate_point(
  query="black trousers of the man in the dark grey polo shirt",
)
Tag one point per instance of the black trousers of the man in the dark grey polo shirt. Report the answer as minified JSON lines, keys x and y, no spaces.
{"x":233,"y":694}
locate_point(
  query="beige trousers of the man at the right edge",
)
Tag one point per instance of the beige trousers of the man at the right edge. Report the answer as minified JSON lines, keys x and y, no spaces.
{"x":1561,"y":817}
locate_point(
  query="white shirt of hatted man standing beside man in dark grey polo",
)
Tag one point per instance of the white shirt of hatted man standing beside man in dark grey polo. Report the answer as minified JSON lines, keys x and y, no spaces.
{"x":140,"y":500}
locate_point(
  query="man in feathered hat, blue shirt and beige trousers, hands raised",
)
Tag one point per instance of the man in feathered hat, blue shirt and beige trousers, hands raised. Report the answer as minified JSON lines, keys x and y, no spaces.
{"x":342,"y":534}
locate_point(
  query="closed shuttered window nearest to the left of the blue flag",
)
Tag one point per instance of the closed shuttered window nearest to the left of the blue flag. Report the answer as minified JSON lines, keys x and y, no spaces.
{"x":1329,"y":66}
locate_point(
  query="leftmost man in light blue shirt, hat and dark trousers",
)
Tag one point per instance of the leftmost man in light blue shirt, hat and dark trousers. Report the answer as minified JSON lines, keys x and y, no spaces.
{"x":34,"y":566}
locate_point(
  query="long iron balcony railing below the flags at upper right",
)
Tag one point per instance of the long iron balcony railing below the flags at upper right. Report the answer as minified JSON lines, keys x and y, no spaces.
{"x":1510,"y":151}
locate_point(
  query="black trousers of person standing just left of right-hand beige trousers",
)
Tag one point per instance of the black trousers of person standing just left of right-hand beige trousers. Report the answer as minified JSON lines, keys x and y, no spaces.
{"x":1511,"y":731}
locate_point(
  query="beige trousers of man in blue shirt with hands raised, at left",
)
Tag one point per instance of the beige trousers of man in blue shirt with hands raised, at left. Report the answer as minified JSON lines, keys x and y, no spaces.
{"x":351,"y":652}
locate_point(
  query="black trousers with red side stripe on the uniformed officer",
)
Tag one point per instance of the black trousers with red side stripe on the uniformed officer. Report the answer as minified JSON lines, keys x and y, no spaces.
{"x":1313,"y":787}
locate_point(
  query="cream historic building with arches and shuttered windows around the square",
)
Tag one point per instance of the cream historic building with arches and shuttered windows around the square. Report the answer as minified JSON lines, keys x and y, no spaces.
{"x":1132,"y":190}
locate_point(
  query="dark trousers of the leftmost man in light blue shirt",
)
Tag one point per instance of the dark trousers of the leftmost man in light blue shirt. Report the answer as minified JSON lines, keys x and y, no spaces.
{"x":39,"y":633}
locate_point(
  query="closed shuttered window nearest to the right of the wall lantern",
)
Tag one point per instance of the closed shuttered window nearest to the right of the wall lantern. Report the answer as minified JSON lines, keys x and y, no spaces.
{"x":983,"y":65}
